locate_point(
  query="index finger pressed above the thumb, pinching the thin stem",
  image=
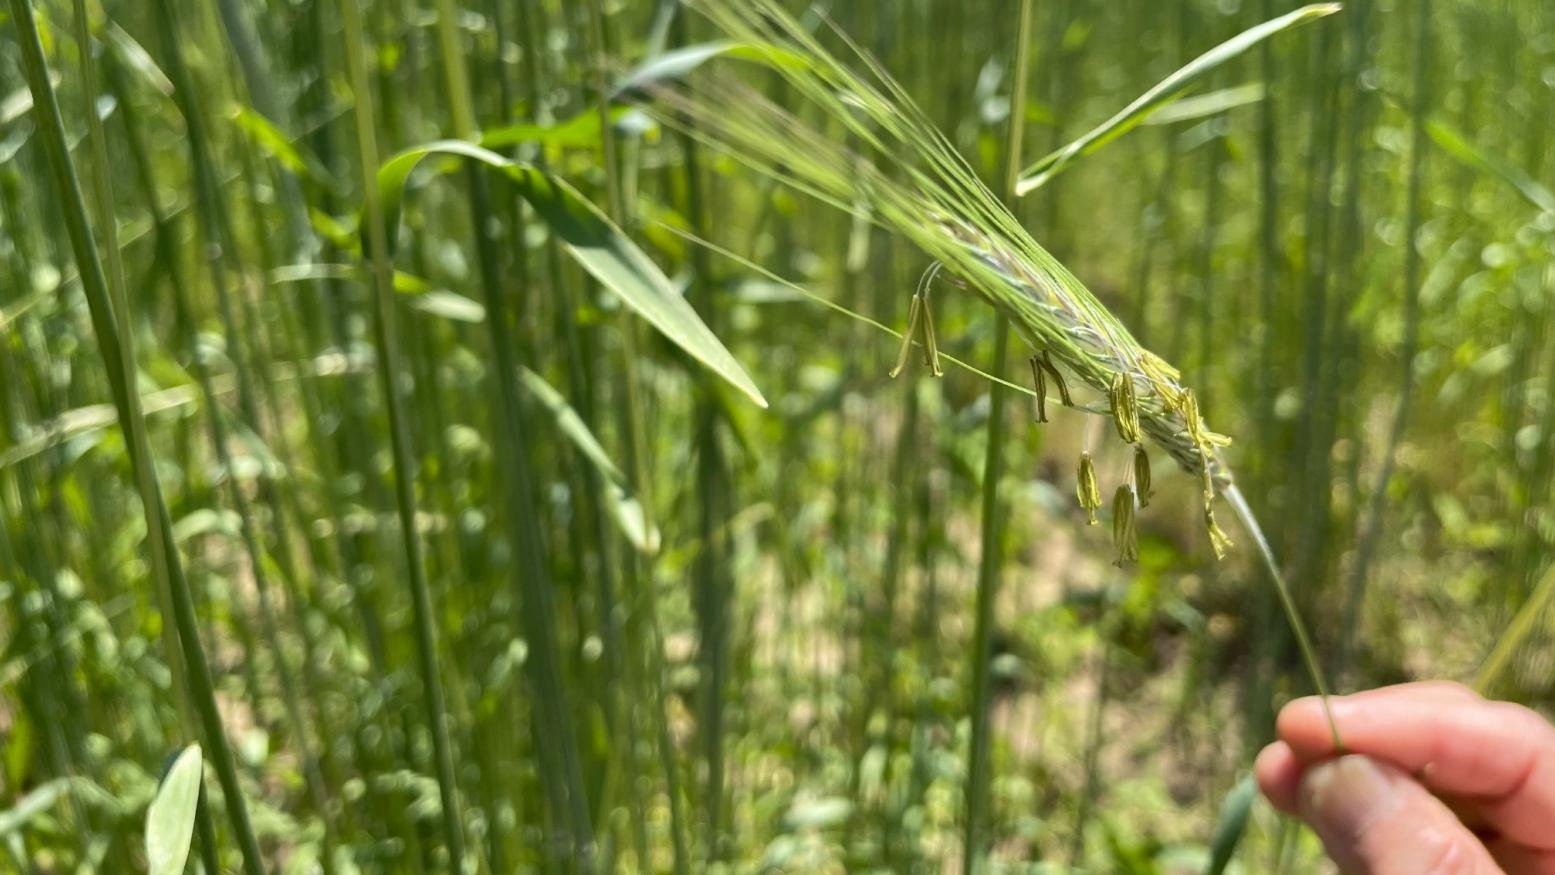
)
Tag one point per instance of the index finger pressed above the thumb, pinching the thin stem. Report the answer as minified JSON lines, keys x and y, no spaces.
{"x":1497,"y":755}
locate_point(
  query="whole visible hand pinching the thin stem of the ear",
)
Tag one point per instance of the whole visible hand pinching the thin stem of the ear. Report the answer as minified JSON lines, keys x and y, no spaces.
{"x":1434,"y":781}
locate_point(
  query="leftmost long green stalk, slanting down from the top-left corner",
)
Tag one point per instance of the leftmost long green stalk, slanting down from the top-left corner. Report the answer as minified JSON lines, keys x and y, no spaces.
{"x":117,"y":352}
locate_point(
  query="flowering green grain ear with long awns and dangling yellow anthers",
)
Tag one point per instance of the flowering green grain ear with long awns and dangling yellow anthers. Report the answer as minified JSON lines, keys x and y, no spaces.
{"x":900,"y":172}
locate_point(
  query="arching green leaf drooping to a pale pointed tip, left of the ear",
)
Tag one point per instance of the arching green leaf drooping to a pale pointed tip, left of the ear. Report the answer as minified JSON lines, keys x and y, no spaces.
{"x":593,"y":242}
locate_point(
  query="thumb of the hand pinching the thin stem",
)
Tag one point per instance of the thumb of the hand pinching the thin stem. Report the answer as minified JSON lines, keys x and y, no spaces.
{"x":1377,"y":821}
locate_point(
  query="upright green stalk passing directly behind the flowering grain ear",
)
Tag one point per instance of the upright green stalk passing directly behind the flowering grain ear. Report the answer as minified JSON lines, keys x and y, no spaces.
{"x":974,"y":851}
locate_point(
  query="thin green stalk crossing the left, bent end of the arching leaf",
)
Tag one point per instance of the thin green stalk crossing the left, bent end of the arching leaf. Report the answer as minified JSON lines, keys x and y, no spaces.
{"x":390,"y":371}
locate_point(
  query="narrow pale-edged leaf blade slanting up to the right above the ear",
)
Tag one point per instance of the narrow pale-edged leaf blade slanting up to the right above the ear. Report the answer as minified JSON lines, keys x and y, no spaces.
{"x":1167,"y":91}
